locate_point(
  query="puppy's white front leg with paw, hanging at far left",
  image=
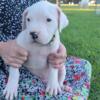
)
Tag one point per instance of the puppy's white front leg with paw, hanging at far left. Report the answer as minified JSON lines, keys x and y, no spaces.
{"x":12,"y":85}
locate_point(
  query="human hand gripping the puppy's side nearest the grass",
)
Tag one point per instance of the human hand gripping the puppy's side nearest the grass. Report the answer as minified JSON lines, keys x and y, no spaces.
{"x":58,"y":59}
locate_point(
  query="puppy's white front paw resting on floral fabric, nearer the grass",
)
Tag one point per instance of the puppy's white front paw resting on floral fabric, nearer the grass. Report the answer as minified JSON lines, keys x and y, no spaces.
{"x":53,"y":88}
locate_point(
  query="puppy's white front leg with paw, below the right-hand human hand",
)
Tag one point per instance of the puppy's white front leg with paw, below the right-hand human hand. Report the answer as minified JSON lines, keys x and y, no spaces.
{"x":53,"y":87}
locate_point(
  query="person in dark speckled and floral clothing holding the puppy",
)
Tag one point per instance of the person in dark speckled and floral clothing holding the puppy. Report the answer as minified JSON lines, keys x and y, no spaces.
{"x":14,"y":55}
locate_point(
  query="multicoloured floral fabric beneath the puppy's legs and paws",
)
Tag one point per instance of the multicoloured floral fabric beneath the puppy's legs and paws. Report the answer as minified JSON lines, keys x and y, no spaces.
{"x":31,"y":87}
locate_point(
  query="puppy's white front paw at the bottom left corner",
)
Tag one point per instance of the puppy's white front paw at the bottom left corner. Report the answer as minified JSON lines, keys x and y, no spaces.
{"x":11,"y":90}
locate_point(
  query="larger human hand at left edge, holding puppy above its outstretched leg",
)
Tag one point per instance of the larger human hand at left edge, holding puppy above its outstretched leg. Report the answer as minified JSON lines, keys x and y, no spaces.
{"x":12,"y":53}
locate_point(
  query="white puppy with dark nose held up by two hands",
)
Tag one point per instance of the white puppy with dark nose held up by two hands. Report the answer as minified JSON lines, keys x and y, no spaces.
{"x":42,"y":23}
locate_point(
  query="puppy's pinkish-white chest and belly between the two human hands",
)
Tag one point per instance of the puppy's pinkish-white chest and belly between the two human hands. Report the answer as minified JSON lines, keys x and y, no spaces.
{"x":37,"y":64}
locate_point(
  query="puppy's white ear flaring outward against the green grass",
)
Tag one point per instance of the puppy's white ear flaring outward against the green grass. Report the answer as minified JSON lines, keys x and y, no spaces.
{"x":62,"y":19}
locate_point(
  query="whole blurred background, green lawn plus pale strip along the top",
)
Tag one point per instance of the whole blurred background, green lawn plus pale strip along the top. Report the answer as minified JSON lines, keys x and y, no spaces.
{"x":82,"y":36}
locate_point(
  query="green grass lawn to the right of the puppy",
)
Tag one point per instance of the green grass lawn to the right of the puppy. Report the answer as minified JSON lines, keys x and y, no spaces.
{"x":82,"y":39}
